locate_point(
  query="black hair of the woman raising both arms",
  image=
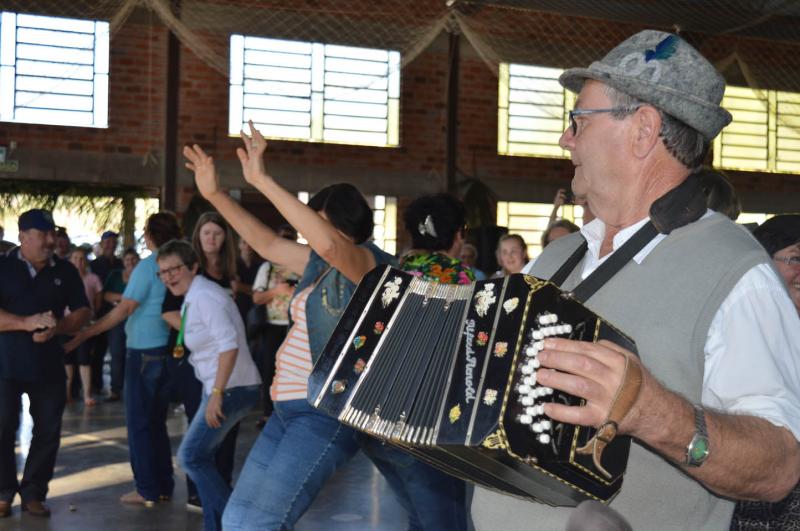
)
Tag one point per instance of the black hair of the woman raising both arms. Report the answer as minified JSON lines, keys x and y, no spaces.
{"x":346,"y":209}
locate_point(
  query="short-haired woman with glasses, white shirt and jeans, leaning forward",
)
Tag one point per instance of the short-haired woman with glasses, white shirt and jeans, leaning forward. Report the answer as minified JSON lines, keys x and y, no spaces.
{"x":213,"y":329}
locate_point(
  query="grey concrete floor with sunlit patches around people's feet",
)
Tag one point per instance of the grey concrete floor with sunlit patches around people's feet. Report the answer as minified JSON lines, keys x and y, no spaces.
{"x":92,"y":472}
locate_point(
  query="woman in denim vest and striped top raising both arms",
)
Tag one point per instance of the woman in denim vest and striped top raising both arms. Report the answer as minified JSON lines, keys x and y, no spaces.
{"x":299,"y":448}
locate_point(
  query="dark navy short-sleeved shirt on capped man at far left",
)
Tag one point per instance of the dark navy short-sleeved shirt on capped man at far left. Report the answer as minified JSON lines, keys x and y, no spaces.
{"x":56,"y":287}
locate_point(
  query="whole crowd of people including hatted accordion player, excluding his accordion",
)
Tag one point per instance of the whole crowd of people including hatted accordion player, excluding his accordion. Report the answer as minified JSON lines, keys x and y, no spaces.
{"x":714,"y":311}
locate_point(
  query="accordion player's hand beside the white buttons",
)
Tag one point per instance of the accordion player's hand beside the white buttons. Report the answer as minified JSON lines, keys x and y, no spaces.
{"x":597,"y":373}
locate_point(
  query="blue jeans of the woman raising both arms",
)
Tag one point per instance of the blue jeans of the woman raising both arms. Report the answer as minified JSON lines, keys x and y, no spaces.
{"x":296,"y":453}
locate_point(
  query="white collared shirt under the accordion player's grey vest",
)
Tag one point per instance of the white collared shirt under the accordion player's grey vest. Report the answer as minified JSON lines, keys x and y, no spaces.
{"x":752,"y":352}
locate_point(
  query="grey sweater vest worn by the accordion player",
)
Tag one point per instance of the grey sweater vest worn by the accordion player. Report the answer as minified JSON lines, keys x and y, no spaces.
{"x":666,"y":304}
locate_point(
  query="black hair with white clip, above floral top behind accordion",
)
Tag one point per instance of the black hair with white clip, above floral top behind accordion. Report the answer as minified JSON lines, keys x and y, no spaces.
{"x":447,"y":218}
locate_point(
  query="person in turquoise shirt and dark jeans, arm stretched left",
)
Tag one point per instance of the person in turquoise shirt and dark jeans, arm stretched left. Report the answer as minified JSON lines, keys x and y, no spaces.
{"x":146,"y":375}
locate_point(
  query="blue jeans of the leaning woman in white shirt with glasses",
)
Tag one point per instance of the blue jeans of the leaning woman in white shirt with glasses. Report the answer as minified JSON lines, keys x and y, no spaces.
{"x":196,"y":455}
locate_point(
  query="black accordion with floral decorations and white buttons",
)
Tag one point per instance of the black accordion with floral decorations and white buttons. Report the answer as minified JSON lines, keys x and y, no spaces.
{"x":448,"y":373}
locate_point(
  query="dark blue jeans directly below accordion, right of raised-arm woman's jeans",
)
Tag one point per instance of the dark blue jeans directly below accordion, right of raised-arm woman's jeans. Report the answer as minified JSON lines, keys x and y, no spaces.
{"x":434,"y":500}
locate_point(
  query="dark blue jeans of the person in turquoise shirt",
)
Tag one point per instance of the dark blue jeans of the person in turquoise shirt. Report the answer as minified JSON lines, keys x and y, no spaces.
{"x":146,"y":403}
